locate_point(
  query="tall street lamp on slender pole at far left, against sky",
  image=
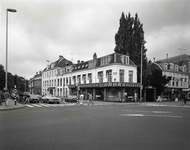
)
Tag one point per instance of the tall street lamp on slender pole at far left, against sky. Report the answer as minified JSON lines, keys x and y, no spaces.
{"x":8,"y":10}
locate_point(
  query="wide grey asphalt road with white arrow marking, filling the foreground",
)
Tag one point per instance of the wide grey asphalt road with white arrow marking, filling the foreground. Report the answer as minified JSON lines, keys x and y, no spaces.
{"x":117,"y":127}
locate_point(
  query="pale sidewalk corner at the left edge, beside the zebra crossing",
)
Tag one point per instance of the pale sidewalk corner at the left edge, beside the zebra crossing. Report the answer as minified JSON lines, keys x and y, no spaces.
{"x":11,"y":105}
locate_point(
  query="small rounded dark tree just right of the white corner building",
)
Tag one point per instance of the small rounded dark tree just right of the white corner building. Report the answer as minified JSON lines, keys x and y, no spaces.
{"x":157,"y":80}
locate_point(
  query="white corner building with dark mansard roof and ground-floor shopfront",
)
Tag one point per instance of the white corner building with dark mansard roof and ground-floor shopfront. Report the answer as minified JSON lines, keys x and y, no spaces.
{"x":107,"y":78}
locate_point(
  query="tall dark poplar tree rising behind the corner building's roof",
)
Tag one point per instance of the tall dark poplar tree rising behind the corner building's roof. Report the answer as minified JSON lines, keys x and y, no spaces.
{"x":129,"y":39}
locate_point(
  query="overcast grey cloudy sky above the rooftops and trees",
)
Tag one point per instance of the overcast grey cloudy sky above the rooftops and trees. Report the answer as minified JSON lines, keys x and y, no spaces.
{"x":44,"y":29}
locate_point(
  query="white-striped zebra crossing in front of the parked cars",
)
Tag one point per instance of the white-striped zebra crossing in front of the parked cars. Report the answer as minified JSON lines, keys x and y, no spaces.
{"x":48,"y":105}
